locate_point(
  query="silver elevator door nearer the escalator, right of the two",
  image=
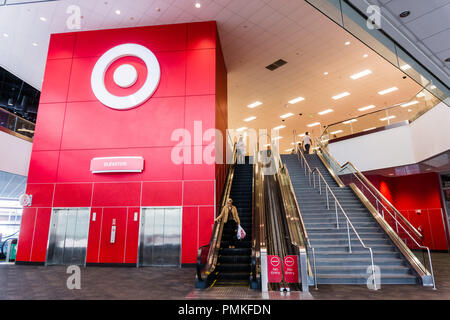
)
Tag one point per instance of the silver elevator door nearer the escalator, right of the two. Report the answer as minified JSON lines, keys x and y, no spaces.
{"x":160,"y":237}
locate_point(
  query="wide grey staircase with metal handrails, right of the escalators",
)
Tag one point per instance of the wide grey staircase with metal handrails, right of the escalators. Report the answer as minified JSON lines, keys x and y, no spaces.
{"x":335,"y":265}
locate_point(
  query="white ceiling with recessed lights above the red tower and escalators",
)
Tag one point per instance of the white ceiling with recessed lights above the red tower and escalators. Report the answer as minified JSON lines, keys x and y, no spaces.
{"x":254,"y":34}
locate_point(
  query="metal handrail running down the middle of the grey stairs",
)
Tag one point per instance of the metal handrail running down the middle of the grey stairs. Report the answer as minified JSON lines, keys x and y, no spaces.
{"x":337,"y":204}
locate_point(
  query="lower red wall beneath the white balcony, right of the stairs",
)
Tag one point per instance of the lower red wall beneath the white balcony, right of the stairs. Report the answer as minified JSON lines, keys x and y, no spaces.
{"x":417,"y":192}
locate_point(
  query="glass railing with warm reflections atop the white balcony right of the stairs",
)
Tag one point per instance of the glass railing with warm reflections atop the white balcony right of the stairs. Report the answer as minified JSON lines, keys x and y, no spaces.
{"x":405,"y":112}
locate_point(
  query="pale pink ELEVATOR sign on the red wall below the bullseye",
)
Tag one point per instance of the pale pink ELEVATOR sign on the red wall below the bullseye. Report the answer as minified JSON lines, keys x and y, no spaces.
{"x":117,"y":164}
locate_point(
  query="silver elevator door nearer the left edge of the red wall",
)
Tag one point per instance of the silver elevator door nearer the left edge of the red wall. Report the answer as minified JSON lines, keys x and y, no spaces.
{"x":68,"y":236}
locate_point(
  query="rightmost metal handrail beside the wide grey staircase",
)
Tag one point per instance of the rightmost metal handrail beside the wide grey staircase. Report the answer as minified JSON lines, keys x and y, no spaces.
{"x":370,"y":187}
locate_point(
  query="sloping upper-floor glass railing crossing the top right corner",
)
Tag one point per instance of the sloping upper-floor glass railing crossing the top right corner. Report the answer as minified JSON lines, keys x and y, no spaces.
{"x":351,"y":20}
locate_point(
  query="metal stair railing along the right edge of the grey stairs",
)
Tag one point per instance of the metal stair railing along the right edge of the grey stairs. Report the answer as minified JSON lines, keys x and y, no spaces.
{"x":386,"y":207}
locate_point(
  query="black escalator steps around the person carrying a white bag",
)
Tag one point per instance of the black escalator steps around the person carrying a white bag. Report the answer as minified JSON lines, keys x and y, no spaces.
{"x":234,"y":265}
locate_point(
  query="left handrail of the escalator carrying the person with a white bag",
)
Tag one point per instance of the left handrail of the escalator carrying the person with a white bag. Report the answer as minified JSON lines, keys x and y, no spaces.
{"x":216,"y":236}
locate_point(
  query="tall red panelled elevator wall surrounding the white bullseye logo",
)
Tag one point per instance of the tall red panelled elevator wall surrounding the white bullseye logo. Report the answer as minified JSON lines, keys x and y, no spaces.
{"x":73,"y":127}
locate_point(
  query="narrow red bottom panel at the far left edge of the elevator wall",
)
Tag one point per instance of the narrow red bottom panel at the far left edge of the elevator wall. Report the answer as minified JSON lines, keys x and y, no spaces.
{"x":26,"y":234}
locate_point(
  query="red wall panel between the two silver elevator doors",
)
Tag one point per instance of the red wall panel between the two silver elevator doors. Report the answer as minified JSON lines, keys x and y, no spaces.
{"x":113,"y":252}
